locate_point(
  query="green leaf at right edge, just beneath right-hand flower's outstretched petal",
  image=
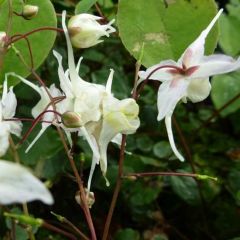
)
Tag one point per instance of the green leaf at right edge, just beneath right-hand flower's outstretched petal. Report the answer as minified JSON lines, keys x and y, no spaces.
{"x":224,"y":88}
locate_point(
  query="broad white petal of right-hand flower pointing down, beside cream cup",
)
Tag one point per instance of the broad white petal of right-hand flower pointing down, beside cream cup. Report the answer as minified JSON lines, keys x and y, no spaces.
{"x":169,"y":94}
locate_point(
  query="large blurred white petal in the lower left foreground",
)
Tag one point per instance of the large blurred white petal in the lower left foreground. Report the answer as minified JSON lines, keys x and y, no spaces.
{"x":18,"y":185}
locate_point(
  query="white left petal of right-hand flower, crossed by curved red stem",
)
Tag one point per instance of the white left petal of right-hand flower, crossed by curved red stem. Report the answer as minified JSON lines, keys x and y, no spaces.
{"x":162,"y":74}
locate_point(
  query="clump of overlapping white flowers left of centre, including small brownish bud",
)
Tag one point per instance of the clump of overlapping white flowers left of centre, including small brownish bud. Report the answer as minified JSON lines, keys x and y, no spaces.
{"x":99,"y":117}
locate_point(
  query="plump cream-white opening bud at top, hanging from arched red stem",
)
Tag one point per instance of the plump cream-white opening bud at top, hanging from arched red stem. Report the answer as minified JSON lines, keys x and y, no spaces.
{"x":86,"y":32}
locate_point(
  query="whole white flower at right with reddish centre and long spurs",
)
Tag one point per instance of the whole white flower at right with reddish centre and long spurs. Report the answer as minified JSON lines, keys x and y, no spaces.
{"x":187,"y":79}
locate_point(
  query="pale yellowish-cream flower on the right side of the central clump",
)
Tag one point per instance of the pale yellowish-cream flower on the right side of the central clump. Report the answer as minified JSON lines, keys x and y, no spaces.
{"x":118,"y":117}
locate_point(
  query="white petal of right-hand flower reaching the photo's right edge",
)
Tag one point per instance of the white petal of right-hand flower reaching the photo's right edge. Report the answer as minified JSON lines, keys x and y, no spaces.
{"x":216,"y":64}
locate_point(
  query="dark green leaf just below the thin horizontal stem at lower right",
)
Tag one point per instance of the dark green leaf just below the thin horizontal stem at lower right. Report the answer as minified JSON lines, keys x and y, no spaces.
{"x":186,"y":188}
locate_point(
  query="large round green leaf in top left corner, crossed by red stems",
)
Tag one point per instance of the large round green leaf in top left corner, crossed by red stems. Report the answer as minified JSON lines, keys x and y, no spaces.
{"x":41,"y":42}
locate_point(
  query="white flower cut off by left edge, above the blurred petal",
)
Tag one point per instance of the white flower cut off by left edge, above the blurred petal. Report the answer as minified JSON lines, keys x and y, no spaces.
{"x":8,"y":105}
